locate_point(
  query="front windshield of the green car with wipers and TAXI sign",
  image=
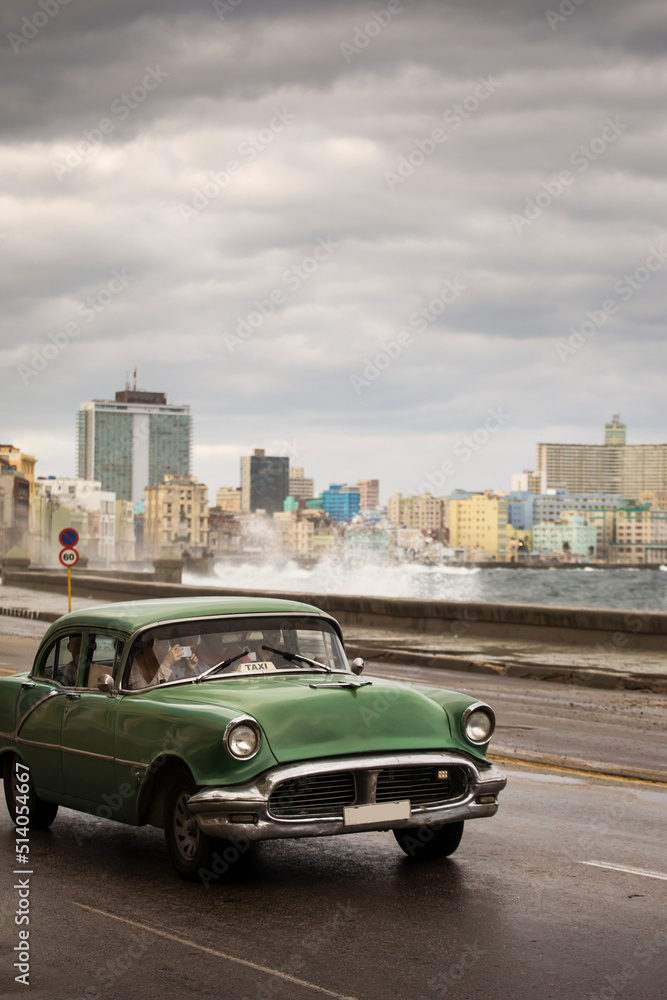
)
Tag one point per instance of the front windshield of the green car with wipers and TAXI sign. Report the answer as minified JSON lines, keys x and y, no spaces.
{"x":233,"y":647}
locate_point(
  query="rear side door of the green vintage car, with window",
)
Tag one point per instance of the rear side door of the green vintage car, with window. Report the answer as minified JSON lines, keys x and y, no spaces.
{"x":40,"y":710}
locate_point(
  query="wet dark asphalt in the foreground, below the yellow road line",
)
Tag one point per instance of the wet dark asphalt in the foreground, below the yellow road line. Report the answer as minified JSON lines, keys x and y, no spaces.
{"x":515,"y":913}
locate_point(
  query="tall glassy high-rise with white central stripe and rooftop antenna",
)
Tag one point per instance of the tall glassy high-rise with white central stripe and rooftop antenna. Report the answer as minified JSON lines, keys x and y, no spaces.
{"x":133,"y":442}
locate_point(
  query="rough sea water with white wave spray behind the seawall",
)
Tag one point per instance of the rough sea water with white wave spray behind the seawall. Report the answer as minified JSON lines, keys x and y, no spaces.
{"x":638,"y":589}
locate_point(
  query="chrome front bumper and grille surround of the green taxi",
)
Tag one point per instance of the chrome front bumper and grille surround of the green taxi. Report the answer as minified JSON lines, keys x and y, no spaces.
{"x":242,"y":811}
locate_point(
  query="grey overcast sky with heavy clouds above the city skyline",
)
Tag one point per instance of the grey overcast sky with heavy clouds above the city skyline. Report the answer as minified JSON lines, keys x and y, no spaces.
{"x":172,"y":170}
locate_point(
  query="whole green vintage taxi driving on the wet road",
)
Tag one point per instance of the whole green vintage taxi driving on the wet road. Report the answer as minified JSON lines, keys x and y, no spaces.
{"x":231,"y":720}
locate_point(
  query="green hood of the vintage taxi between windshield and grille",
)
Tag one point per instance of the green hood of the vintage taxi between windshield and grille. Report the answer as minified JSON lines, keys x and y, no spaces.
{"x":301,"y":718}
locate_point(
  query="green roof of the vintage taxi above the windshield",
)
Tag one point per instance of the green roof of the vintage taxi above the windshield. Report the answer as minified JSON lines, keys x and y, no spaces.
{"x":132,"y":615}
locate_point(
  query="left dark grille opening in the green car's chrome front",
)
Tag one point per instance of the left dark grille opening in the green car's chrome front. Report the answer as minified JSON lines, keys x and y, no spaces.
{"x":313,"y":796}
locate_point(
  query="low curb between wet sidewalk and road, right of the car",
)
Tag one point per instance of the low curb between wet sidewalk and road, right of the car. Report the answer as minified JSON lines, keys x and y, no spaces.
{"x":609,"y":680}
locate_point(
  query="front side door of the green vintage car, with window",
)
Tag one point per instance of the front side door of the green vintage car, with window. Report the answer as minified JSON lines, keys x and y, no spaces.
{"x":89,"y":723}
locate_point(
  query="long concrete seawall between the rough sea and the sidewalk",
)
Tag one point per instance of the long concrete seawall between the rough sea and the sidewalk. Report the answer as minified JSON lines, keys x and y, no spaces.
{"x":577,"y":626}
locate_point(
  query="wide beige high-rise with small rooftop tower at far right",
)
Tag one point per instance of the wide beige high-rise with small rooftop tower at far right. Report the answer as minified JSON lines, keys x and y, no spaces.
{"x":612,"y":467}
